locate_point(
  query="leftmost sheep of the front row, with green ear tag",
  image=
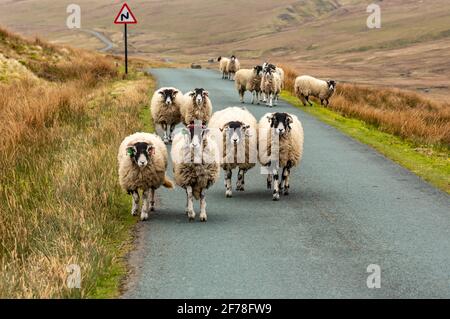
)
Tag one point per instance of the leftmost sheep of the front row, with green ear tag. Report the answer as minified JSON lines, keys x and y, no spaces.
{"x":142,"y":162}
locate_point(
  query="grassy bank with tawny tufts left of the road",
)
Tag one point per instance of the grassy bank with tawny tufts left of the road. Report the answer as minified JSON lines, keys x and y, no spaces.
{"x":63,"y":114}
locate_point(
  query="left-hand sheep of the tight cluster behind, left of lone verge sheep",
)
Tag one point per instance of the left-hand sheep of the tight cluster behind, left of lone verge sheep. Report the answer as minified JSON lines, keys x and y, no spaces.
{"x":249,"y":80}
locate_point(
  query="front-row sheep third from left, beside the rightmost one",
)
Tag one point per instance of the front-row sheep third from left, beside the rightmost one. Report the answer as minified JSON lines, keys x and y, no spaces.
{"x":236,"y":130}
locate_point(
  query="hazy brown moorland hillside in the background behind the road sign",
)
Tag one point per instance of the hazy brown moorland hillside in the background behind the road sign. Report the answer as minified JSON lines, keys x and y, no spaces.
{"x":327,"y":38}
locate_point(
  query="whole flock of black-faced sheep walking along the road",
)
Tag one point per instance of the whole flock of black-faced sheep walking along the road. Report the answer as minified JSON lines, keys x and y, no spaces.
{"x":230,"y":139}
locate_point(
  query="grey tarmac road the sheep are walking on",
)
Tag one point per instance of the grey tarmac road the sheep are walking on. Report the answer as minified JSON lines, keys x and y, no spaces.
{"x":349,"y":207}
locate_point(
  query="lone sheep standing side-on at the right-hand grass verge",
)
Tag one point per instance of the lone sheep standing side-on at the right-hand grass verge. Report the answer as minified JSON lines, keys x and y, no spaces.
{"x":306,"y":86}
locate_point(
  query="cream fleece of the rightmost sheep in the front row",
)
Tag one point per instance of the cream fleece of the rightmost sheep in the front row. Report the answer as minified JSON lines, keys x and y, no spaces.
{"x":290,"y":145}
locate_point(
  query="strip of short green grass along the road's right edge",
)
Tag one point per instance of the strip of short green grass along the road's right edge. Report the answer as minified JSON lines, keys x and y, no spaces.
{"x":430,"y":163}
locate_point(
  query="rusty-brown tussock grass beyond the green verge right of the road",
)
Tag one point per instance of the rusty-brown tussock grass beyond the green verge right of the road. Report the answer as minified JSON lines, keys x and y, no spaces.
{"x":403,"y":113}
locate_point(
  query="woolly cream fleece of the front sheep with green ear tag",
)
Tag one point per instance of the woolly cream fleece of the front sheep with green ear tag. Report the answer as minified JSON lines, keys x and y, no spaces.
{"x":153,"y":175}
